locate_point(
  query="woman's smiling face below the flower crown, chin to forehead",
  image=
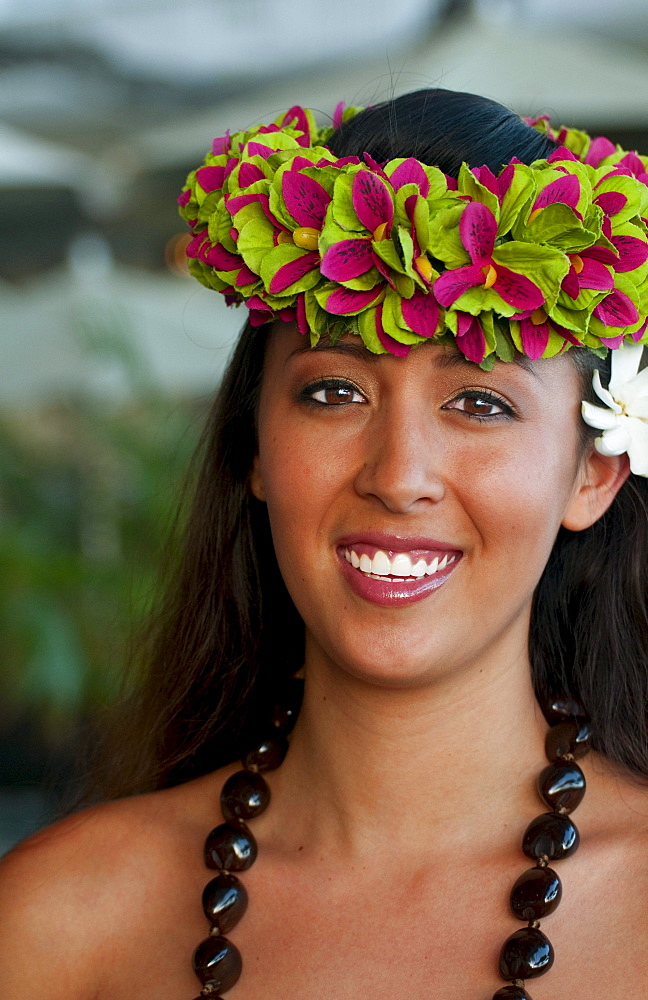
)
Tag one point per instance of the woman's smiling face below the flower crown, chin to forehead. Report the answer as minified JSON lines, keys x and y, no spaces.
{"x":414,"y":501}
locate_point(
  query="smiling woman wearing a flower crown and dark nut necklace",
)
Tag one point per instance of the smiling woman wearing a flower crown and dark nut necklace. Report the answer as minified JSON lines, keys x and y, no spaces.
{"x":432,"y":540}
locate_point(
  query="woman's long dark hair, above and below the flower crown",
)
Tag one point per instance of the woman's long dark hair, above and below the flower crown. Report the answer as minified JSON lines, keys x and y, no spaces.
{"x":228,"y":634}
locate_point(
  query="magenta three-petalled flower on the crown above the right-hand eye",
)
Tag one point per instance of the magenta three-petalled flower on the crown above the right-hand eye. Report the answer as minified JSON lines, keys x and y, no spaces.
{"x":478,"y":232}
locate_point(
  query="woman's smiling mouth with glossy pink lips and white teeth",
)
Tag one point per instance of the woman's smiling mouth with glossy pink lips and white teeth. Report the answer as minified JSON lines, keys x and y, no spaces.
{"x":388,"y":570}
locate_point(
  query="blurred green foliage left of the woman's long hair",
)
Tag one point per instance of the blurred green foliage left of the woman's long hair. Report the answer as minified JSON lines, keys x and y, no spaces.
{"x":88,"y":489}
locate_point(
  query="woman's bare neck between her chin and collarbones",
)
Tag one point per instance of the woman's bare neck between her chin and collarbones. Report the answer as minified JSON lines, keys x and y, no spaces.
{"x":372,"y":766}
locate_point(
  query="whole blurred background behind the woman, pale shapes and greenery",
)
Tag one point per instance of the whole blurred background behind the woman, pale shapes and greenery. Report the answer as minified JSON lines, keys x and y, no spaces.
{"x":109,"y":354}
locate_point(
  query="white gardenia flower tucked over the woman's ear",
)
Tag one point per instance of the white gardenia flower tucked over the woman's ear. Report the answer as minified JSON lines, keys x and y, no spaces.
{"x":625,"y":422}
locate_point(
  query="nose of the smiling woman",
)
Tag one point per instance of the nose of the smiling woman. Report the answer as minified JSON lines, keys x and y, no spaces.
{"x":403,"y":463}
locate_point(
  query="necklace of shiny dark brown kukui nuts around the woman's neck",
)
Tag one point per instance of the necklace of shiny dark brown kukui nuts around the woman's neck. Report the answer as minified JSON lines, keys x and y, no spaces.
{"x":527,"y":953}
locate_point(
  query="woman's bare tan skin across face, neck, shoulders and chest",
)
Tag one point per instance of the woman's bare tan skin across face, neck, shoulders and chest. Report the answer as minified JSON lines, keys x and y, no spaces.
{"x":392,"y":840}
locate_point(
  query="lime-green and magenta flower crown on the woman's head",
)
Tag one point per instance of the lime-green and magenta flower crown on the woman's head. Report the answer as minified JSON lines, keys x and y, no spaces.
{"x":535,"y":259}
